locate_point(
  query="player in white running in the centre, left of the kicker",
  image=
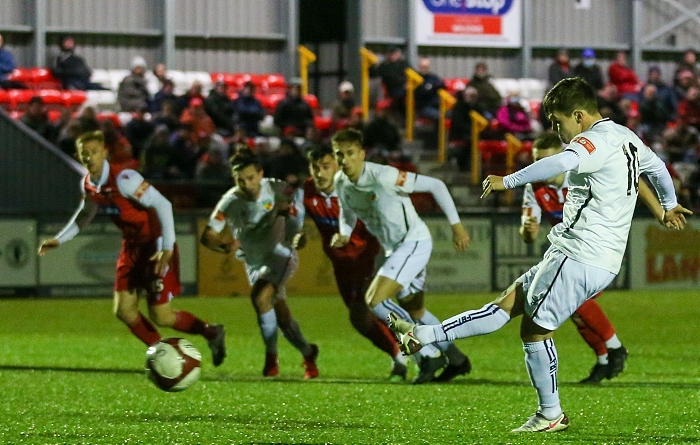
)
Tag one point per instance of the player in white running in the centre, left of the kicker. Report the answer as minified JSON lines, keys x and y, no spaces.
{"x":378,"y":195}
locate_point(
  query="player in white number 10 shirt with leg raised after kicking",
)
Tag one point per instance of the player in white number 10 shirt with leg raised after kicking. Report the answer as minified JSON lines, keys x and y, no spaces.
{"x":604,"y":161}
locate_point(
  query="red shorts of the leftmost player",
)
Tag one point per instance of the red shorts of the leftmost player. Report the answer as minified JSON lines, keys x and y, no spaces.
{"x":135,"y":271}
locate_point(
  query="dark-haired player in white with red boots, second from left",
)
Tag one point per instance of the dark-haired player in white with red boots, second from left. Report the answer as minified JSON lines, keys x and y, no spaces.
{"x":258,"y":220}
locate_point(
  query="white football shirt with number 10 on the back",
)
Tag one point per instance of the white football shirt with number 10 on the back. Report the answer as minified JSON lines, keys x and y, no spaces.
{"x":602,"y":195}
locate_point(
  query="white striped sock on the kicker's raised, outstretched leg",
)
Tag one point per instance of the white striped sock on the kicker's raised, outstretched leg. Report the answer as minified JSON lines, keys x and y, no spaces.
{"x":482,"y":321}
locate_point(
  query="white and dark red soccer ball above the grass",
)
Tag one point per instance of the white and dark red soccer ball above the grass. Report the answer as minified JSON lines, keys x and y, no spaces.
{"x":173,"y":364}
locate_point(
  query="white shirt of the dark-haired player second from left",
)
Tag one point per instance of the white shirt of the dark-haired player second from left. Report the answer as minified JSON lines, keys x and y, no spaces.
{"x":257,"y":224}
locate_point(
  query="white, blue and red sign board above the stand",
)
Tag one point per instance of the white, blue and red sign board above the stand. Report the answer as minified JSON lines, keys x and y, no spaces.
{"x":469,"y":23}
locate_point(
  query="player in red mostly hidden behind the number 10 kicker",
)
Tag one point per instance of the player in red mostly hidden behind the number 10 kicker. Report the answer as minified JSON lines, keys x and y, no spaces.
{"x":545,"y":200}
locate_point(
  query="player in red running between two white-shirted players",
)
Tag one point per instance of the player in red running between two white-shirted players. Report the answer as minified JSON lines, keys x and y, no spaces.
{"x":354,"y":264}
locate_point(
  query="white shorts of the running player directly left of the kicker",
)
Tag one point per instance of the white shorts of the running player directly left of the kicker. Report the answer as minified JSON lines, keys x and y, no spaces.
{"x":406,"y":265}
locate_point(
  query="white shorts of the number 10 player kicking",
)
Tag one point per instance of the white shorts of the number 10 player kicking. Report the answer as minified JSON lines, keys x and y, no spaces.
{"x":558,"y":285}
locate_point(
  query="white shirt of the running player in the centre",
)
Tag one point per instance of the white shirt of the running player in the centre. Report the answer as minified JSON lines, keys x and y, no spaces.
{"x":380,"y":199}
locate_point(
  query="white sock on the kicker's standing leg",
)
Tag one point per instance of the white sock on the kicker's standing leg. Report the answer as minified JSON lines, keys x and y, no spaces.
{"x":542,"y":363}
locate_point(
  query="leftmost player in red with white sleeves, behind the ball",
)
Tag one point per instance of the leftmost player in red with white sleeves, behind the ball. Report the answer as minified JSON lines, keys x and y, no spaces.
{"x":148,"y":261}
